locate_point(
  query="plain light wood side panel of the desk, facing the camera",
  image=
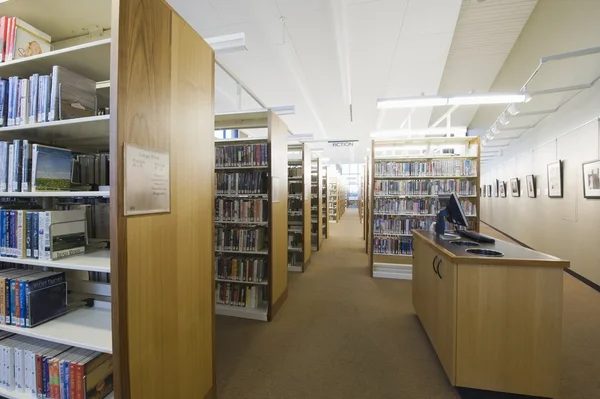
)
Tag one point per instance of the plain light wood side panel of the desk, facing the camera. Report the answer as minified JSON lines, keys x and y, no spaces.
{"x":509,"y":329}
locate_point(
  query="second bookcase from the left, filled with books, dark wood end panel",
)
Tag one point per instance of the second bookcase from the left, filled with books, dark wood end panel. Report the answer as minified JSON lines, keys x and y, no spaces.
{"x":258,"y":250}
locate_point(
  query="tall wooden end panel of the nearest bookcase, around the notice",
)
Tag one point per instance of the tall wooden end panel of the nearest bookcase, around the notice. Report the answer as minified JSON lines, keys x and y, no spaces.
{"x":162,"y":83}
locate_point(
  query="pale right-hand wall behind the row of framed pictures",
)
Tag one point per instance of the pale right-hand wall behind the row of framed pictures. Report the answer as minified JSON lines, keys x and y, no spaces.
{"x":568,"y":227}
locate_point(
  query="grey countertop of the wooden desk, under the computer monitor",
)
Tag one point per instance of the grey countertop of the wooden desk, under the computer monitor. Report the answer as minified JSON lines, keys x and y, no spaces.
{"x":514,"y":254}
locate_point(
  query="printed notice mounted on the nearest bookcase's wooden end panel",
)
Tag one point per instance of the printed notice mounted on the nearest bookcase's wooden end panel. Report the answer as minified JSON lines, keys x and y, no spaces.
{"x":147,"y":182}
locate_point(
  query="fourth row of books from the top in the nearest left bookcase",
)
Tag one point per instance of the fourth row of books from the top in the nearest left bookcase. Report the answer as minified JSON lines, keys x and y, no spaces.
{"x":41,"y":234}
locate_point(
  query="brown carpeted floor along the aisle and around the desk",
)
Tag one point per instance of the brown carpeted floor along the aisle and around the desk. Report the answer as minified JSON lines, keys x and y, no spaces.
{"x":342,"y":334}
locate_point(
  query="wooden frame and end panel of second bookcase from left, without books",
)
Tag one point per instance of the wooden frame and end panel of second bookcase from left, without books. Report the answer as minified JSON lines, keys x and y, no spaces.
{"x":276,"y":250}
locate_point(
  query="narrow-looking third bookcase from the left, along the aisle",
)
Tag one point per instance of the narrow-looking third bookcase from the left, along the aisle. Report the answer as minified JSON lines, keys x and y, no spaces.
{"x":299,"y":248}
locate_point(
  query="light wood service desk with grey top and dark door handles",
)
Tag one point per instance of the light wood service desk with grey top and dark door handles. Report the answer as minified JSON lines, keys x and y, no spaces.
{"x":494,"y":322}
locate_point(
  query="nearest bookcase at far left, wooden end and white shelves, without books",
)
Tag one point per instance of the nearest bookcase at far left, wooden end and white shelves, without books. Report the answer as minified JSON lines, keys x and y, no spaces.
{"x":161,"y":95}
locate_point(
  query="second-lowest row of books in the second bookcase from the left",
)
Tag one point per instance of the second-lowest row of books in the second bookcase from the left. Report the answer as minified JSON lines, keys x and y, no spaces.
{"x":237,"y":268}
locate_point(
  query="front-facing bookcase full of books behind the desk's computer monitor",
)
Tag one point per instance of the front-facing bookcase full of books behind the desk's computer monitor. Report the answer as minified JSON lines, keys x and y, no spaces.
{"x":405,"y":178}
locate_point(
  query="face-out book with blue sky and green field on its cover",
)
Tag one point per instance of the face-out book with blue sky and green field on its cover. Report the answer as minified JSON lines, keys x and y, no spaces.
{"x":51,"y":168}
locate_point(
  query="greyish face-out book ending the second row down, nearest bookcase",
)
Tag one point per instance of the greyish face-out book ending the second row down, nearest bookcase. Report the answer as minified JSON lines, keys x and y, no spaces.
{"x":77,"y":89}
